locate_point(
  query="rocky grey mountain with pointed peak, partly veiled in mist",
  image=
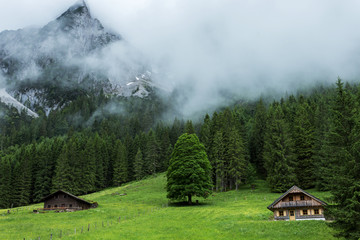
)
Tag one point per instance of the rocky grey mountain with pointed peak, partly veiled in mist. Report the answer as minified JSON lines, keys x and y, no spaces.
{"x":44,"y":68}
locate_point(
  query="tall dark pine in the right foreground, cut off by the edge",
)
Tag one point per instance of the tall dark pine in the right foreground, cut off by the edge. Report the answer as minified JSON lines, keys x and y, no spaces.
{"x":344,"y":139}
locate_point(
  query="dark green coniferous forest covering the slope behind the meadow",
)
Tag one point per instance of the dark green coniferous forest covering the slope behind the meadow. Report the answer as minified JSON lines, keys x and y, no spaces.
{"x":311,"y":139}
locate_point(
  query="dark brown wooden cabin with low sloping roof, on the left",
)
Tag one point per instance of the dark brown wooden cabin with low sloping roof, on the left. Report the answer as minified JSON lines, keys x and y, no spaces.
{"x":61,"y":200}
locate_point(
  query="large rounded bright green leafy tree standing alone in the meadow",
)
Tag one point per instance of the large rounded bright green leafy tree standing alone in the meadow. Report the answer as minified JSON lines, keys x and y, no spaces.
{"x":189,"y":172}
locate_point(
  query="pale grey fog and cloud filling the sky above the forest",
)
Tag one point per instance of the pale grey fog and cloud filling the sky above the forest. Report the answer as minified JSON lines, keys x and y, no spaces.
{"x":217,"y":48}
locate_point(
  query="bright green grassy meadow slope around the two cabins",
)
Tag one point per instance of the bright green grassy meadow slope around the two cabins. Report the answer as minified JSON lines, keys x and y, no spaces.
{"x":231,"y":215}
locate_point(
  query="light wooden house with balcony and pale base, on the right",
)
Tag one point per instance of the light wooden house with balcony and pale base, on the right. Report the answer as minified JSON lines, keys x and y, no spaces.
{"x":296,"y":204}
